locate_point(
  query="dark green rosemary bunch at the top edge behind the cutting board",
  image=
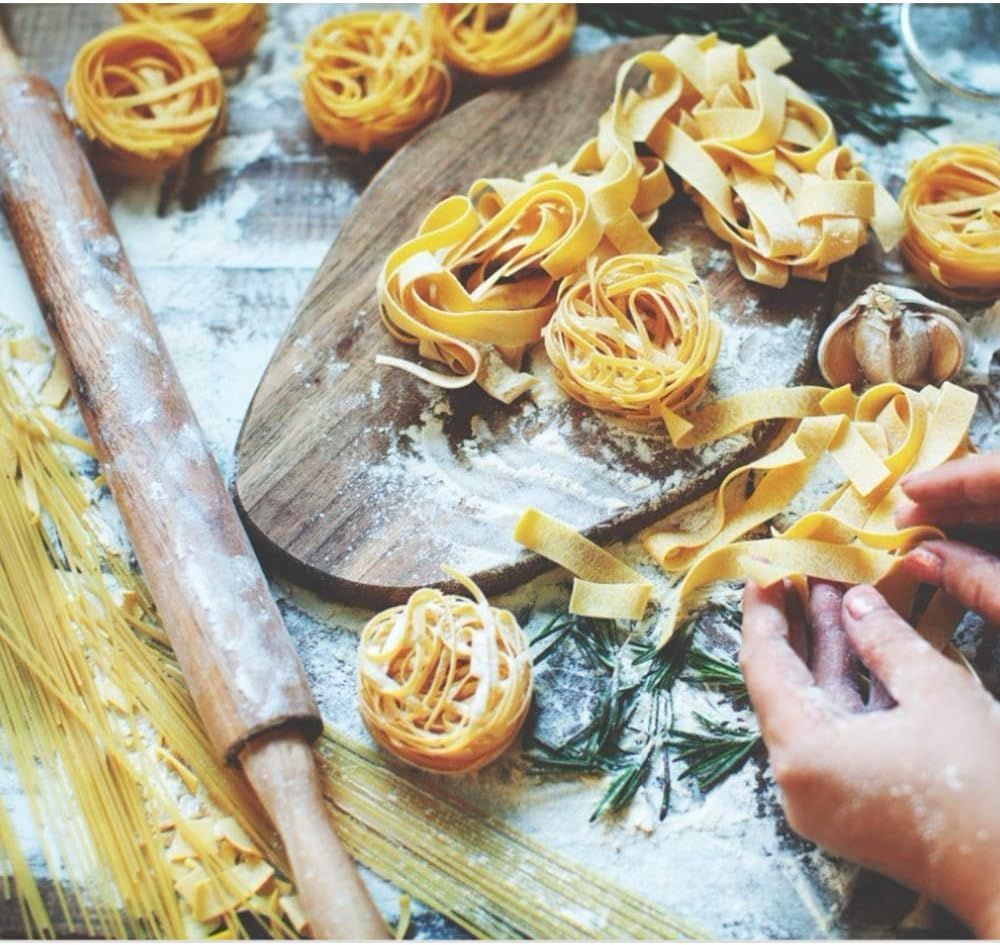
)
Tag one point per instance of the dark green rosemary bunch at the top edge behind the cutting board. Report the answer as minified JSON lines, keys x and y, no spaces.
{"x":837,"y":49}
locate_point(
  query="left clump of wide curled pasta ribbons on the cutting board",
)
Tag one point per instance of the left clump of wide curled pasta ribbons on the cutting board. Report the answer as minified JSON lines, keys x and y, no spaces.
{"x":480,"y":280}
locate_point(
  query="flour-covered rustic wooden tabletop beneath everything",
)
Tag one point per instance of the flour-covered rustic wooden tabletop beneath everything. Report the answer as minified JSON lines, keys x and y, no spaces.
{"x":224,"y":249}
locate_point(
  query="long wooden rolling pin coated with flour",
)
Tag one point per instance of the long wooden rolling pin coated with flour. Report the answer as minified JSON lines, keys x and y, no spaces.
{"x":238,"y":660}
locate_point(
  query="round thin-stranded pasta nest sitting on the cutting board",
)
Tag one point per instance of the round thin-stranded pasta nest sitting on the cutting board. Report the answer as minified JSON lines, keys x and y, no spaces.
{"x":634,"y":335}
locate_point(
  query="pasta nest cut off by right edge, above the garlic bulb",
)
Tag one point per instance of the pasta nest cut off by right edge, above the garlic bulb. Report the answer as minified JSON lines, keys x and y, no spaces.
{"x":951,"y":204}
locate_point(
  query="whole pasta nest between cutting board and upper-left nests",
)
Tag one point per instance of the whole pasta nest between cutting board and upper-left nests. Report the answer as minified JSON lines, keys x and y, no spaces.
{"x":371,"y":80}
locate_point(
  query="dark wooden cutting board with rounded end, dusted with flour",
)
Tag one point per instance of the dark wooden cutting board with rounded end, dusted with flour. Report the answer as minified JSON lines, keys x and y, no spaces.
{"x":360,"y":480}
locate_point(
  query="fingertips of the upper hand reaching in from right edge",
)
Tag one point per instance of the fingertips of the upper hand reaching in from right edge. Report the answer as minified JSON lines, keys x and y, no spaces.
{"x":964,"y":492}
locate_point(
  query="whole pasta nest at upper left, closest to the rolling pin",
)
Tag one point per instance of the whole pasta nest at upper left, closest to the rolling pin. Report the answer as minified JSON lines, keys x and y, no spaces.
{"x":146,"y":95}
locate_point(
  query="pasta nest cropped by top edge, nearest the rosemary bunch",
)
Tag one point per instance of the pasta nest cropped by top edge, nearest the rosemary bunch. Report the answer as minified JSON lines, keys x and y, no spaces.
{"x":501,"y":39}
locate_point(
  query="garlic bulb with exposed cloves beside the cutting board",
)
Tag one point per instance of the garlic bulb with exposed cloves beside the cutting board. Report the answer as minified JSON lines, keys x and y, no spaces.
{"x":892,"y":334}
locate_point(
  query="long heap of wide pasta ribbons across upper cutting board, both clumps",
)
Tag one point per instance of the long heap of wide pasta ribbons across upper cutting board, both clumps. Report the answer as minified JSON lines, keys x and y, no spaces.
{"x":481,"y":279}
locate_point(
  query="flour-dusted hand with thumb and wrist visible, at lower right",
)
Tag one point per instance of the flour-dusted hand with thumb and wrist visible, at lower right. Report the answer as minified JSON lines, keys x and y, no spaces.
{"x":908,"y":790}
